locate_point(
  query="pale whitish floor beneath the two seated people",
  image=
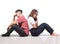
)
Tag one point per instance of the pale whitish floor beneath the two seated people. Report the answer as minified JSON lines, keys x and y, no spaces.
{"x":42,"y":39}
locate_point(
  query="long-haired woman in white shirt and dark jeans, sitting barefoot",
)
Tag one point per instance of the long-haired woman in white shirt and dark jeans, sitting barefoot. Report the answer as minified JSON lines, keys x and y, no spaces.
{"x":33,"y":25}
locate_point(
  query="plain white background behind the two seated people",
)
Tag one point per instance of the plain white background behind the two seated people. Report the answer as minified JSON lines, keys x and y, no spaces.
{"x":49,"y":12}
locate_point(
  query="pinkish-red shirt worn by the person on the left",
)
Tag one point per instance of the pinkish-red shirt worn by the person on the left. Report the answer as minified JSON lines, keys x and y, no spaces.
{"x":24,"y":24}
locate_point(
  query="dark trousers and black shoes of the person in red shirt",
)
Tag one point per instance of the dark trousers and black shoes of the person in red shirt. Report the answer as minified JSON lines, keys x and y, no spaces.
{"x":19,"y":30}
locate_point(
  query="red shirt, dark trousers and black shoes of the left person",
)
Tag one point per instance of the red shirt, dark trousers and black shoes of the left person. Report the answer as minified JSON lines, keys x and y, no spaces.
{"x":22,"y":29}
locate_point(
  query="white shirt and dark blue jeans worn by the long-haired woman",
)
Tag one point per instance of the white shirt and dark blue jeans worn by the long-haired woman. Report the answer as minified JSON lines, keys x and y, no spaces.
{"x":37,"y":31}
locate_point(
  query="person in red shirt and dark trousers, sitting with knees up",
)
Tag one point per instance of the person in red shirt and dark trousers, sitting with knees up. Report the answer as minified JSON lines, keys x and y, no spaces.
{"x":20,"y":25}
